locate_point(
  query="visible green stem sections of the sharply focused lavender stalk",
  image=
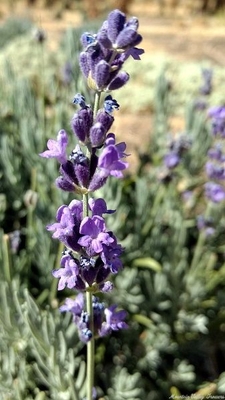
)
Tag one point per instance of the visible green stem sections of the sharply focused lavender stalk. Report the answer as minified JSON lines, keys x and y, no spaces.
{"x":91,"y":343}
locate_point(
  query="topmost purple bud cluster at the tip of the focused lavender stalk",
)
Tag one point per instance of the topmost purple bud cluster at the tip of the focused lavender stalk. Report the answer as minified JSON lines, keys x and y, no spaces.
{"x":105,"y":53}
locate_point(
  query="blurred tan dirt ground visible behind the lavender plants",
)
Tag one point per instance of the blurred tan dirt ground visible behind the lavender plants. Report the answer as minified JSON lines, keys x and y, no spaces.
{"x":181,"y":35}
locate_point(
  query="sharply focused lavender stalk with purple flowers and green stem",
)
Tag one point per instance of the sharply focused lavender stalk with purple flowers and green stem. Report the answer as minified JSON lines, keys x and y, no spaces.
{"x":91,"y":250}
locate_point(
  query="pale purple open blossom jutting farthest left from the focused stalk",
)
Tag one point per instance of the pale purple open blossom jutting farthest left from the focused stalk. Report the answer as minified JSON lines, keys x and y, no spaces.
{"x":57,"y":148}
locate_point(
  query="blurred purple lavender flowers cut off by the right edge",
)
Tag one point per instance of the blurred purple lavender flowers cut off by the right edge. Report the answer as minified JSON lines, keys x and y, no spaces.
{"x":215,"y":166}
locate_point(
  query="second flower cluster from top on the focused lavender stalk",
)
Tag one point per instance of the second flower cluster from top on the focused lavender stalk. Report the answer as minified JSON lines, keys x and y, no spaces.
{"x":78,"y":172}
